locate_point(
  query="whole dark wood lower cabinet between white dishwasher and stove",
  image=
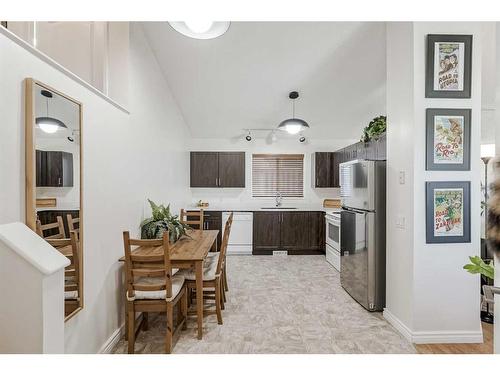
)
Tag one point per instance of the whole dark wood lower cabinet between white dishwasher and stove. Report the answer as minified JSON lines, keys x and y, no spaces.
{"x":298,"y":232}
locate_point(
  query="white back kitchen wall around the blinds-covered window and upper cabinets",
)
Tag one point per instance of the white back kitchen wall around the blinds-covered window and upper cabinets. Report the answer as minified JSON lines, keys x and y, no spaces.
{"x":233,"y":196}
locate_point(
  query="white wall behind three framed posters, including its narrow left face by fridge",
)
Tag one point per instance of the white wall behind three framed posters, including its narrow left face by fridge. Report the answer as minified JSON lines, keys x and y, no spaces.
{"x":445,"y":299}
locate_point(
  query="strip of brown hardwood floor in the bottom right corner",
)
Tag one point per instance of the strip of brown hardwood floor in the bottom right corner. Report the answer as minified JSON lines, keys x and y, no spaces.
{"x":485,"y":348}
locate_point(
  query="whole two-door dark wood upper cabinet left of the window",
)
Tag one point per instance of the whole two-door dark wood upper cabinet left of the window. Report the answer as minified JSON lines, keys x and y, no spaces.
{"x":217,"y":169}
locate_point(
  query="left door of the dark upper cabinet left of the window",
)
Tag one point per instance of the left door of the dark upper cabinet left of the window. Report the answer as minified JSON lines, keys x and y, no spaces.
{"x":204,"y":169}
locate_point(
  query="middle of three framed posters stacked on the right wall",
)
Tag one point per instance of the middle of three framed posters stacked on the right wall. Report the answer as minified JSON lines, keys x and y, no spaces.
{"x":447,"y":139}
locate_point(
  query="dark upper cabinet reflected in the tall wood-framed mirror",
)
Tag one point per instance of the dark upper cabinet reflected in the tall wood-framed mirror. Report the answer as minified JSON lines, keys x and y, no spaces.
{"x":54,"y":169}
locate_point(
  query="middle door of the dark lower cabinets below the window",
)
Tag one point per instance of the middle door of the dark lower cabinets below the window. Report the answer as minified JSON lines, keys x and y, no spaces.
{"x":294,"y":230}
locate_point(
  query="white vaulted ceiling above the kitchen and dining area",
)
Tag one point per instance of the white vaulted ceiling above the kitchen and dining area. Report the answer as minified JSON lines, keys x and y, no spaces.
{"x":242,"y":79}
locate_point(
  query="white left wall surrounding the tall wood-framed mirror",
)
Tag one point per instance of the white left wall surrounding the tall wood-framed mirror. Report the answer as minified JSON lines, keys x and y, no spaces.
{"x":126,"y":158}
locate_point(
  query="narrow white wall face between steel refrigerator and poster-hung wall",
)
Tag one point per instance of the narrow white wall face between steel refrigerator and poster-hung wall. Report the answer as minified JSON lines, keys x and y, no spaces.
{"x":401,"y":127}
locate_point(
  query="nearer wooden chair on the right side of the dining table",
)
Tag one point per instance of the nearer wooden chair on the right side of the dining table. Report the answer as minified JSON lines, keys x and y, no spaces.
{"x":212,"y":275}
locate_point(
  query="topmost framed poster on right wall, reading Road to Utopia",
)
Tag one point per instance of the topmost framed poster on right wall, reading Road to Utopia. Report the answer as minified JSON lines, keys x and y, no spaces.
{"x":449,"y":60}
